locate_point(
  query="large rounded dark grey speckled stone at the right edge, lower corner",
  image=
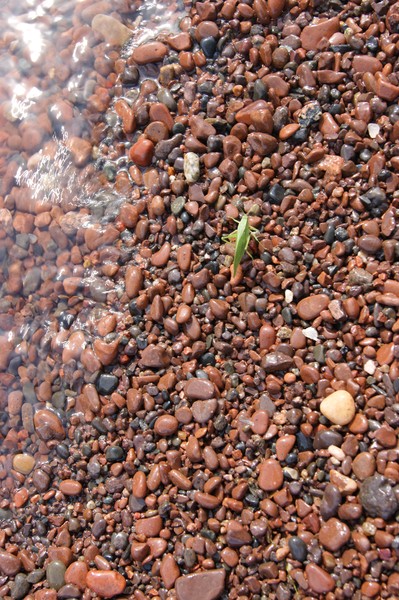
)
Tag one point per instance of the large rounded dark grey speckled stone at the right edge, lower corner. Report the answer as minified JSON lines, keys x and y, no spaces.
{"x":378,"y":497}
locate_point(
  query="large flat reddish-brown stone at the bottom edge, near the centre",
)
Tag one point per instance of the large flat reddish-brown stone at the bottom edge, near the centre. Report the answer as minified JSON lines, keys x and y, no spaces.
{"x":208,"y":585}
